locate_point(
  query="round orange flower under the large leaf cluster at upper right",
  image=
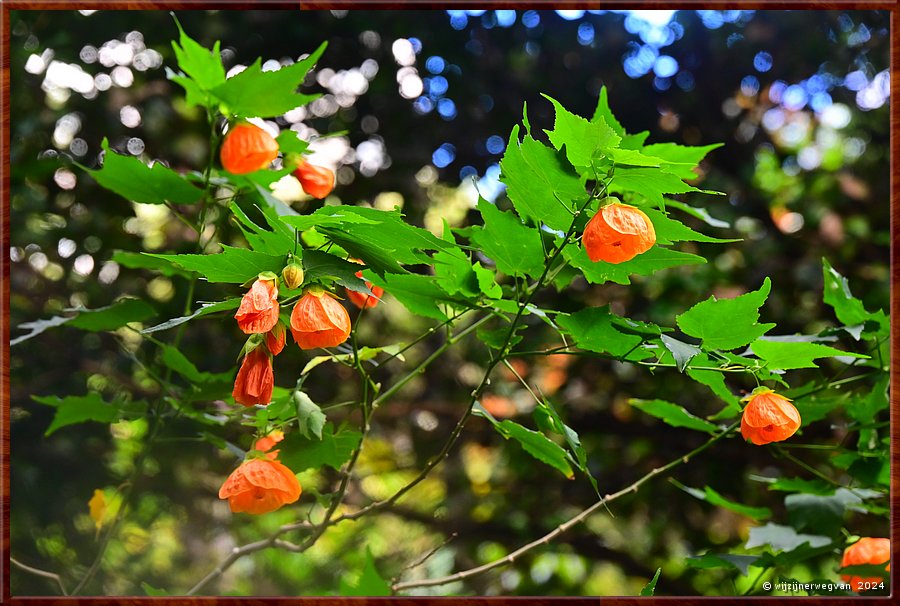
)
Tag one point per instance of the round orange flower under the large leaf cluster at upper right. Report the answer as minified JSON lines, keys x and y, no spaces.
{"x":618,"y":233}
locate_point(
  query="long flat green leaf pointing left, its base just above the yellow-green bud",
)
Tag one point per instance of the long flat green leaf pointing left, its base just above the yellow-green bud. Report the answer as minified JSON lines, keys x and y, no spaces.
{"x":233,"y":265}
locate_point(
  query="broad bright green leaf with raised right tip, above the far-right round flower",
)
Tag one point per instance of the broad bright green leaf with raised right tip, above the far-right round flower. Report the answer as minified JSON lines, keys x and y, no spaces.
{"x":727,"y":323}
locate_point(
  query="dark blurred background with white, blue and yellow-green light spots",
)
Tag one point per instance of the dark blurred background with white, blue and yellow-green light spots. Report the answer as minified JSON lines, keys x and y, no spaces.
{"x":425,"y":102}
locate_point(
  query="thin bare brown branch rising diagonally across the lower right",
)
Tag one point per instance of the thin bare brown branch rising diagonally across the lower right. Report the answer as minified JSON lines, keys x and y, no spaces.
{"x":512,"y":557}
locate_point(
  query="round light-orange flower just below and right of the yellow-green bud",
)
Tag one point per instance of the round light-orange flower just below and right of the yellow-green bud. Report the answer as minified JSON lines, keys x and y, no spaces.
{"x":318,"y":320}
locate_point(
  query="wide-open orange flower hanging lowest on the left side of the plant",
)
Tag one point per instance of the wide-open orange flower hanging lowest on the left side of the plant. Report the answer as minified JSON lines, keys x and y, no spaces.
{"x":260,"y":486}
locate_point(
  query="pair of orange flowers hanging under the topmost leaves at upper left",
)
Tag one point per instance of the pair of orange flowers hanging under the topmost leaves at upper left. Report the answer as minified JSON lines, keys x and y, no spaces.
{"x":248,"y":148}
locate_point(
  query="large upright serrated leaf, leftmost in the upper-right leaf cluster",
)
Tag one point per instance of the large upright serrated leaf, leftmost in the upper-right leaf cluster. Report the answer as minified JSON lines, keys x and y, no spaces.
{"x":538,"y":185}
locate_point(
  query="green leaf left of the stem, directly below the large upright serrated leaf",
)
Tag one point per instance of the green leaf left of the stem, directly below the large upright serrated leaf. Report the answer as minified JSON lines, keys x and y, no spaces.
{"x":512,"y":246}
